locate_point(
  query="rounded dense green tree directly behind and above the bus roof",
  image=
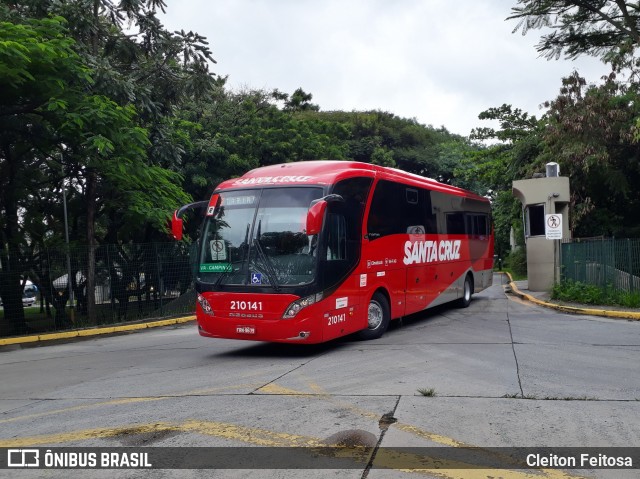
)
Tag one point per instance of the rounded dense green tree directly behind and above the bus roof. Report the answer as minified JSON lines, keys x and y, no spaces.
{"x":237,"y":131}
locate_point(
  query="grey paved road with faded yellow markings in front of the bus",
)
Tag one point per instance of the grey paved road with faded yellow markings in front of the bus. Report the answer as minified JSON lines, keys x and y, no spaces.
{"x":500,"y":373}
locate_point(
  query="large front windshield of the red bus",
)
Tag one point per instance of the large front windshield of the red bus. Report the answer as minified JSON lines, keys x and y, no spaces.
{"x":258,"y":238}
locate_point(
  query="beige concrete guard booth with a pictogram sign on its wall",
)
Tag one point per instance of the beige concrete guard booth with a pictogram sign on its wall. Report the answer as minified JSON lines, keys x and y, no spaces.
{"x":545,"y":206}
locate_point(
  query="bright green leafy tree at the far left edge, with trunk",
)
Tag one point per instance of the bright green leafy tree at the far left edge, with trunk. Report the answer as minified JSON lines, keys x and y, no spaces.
{"x":41,"y":77}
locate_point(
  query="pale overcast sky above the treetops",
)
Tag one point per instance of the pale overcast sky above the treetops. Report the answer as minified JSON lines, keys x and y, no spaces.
{"x":441,"y":62}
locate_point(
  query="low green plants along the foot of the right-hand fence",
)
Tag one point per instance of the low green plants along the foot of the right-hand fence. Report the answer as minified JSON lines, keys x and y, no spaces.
{"x":575,"y":291}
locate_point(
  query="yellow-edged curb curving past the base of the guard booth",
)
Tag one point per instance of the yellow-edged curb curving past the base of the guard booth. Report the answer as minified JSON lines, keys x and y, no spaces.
{"x":543,"y":298}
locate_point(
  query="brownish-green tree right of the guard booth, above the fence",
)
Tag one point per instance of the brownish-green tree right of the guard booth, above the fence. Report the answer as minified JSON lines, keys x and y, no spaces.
{"x":590,"y":133}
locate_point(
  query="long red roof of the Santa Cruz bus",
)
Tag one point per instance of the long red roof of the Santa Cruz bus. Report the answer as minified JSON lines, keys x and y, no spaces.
{"x":326,"y":172}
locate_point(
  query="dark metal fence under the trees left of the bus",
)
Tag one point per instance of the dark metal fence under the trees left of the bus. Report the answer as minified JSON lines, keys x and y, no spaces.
{"x":132,"y":282}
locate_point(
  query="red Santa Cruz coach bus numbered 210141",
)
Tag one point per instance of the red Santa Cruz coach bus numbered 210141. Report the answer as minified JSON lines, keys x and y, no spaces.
{"x":310,"y":251}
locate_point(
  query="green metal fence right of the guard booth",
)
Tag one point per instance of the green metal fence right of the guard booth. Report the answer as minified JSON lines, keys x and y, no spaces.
{"x":604,"y":262}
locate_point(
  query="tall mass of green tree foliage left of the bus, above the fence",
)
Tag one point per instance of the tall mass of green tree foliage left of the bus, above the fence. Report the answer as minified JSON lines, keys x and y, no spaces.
{"x":86,"y":101}
